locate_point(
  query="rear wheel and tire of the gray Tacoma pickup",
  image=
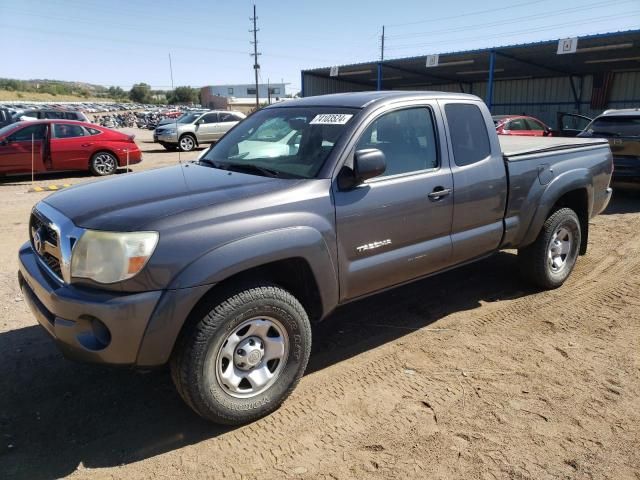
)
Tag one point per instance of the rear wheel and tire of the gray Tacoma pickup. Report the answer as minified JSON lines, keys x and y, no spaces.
{"x":538,"y":260}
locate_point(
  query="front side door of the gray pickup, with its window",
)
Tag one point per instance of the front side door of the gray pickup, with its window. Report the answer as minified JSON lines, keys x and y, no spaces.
{"x":395,"y":227}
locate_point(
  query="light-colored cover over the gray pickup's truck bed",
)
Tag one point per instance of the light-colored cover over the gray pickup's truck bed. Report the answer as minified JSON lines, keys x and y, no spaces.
{"x":513,"y":148}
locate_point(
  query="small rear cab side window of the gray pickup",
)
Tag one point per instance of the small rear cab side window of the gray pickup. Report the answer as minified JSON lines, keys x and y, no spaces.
{"x":468,"y":133}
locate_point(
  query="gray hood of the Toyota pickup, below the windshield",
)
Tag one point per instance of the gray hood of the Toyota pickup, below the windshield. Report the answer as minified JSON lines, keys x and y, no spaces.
{"x":128,"y":202}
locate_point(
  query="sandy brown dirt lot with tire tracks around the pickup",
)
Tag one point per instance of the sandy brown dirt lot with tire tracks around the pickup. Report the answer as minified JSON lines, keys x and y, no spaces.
{"x":470,"y":374}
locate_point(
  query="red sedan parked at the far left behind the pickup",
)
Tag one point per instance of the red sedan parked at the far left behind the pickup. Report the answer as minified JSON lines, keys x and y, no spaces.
{"x":64,"y":145}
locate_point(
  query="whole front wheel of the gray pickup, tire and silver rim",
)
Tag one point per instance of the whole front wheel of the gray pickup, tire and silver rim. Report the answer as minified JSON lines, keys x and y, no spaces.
{"x":244,"y":356}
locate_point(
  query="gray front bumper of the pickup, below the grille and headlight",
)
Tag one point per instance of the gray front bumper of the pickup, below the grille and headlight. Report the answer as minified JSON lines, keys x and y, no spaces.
{"x":90,"y":326}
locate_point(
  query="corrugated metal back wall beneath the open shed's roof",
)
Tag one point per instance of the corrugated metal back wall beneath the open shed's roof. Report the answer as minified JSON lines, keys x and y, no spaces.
{"x":539,"y":97}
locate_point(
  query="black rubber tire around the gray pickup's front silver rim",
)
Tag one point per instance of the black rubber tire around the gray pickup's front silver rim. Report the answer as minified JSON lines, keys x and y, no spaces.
{"x":198,"y":356}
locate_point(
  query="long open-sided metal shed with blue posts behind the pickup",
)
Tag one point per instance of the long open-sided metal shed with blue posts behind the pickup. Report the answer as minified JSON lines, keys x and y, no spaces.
{"x":583,"y":75}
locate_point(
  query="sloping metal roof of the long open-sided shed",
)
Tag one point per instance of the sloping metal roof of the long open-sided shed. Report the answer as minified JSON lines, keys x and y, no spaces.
{"x":606,"y":52}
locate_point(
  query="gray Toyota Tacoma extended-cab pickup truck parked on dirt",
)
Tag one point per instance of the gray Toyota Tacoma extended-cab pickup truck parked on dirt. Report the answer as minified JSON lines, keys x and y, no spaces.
{"x":220,"y":267}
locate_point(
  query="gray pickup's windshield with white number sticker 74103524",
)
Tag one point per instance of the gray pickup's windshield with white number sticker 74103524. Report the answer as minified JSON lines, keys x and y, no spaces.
{"x":288,"y":142}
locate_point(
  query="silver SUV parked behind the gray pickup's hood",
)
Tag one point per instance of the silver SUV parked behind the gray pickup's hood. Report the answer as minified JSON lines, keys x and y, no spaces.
{"x":193,"y":129}
